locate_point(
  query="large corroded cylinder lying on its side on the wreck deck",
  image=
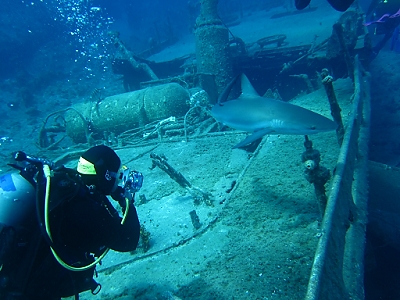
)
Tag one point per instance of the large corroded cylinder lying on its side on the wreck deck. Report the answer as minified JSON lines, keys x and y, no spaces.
{"x":126,"y":111}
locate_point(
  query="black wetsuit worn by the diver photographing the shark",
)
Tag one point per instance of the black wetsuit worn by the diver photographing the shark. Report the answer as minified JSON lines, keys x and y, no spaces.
{"x":81,"y":226}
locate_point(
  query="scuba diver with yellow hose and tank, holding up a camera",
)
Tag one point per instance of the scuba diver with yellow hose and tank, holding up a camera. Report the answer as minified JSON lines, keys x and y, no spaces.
{"x":49,"y":246}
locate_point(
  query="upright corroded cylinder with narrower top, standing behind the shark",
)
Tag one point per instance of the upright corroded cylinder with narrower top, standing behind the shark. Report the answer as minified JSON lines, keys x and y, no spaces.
{"x":212,"y":45}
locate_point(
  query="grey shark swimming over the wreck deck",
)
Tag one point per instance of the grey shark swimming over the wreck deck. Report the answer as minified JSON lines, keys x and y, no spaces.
{"x":261,"y":116}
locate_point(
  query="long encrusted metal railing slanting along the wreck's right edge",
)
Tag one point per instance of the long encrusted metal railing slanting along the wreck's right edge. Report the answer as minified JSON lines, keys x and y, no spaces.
{"x":338,"y":270}
